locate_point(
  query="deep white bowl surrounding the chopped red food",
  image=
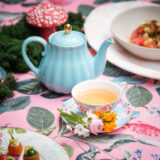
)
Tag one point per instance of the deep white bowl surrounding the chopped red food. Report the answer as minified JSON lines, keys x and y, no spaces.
{"x":126,"y":22}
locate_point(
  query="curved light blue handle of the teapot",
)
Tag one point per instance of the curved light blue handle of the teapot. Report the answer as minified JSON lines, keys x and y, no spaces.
{"x":25,"y":57}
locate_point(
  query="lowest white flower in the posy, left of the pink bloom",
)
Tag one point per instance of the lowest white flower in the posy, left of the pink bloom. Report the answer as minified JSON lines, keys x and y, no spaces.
{"x":81,"y":130}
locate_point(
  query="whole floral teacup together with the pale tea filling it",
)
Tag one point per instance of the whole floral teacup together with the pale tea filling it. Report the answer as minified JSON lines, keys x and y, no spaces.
{"x":96,"y":95}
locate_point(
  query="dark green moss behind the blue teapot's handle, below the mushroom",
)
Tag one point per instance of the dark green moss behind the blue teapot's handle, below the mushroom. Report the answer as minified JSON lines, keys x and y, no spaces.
{"x":12,"y":38}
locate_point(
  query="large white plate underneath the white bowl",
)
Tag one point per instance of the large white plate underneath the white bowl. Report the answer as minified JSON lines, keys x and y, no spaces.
{"x":97,"y":29}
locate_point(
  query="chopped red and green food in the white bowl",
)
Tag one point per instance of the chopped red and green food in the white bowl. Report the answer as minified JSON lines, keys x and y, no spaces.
{"x":147,"y":34}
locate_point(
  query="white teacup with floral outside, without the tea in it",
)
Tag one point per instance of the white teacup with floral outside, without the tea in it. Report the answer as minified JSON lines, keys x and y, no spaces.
{"x":97,"y":84}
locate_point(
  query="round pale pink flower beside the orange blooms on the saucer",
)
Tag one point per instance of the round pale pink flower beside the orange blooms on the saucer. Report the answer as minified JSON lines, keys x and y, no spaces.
{"x":96,"y":126}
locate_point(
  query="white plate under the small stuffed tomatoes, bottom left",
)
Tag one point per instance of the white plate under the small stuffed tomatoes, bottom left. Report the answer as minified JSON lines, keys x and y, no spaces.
{"x":47,"y":148}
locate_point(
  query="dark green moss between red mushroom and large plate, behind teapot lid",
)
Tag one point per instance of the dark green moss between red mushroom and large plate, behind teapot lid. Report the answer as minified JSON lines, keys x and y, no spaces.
{"x":76,"y":20}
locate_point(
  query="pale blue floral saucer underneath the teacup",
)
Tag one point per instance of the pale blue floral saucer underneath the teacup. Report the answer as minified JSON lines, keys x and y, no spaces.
{"x":123,"y":111}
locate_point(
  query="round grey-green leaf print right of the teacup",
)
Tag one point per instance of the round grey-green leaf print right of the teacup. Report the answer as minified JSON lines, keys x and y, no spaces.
{"x":138,"y":96}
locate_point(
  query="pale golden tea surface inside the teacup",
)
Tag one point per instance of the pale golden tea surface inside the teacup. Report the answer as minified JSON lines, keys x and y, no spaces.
{"x":97,"y":96}
